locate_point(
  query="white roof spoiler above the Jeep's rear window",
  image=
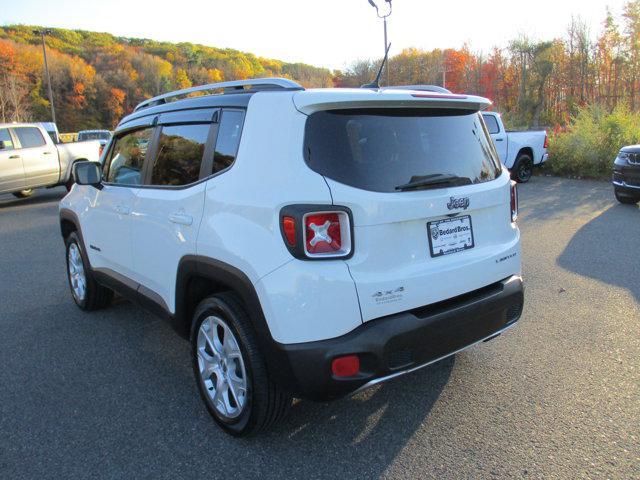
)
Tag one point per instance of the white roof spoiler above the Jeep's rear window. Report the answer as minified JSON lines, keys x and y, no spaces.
{"x":310,"y":101}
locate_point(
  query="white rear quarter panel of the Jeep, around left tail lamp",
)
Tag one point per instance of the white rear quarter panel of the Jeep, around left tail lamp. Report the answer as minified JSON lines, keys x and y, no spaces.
{"x":301,"y":300}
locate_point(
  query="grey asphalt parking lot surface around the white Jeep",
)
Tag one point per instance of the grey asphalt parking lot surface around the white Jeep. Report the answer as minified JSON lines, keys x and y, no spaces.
{"x":111,"y":394}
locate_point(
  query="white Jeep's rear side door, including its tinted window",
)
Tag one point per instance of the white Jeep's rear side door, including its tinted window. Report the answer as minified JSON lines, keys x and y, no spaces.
{"x":168,"y":208}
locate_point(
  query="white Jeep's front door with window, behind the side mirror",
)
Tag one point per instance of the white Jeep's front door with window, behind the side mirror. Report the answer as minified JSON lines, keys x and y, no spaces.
{"x":107,"y":224}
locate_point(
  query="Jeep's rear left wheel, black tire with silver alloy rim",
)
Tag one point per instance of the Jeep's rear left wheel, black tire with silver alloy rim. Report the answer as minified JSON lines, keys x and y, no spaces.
{"x":230,"y":370}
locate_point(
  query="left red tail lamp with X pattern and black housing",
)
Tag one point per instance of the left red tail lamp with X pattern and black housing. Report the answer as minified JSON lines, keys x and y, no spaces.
{"x":317,"y":232}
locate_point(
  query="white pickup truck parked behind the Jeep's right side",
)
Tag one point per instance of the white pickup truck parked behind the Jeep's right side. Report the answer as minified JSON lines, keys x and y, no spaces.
{"x":518,"y":151}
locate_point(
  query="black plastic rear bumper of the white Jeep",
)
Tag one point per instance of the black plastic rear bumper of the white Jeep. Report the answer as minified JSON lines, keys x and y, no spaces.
{"x":401,"y":343}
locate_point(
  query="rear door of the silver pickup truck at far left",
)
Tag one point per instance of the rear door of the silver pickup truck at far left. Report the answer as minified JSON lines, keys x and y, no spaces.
{"x":39,"y":158}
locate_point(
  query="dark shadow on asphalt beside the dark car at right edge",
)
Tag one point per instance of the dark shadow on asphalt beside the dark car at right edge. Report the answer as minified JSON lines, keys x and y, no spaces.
{"x":606,"y":248}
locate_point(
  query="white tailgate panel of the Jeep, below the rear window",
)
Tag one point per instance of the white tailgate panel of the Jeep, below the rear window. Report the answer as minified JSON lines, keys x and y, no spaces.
{"x":392,"y":255}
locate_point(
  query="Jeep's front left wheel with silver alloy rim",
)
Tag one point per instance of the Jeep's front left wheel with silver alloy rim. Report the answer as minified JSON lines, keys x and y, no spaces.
{"x":88,"y":294}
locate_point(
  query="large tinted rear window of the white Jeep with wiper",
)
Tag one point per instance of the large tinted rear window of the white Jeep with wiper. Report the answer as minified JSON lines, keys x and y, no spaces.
{"x":380,"y":149}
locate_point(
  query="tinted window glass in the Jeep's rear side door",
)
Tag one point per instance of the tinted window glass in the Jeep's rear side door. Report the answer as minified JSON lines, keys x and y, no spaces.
{"x":180,"y":152}
